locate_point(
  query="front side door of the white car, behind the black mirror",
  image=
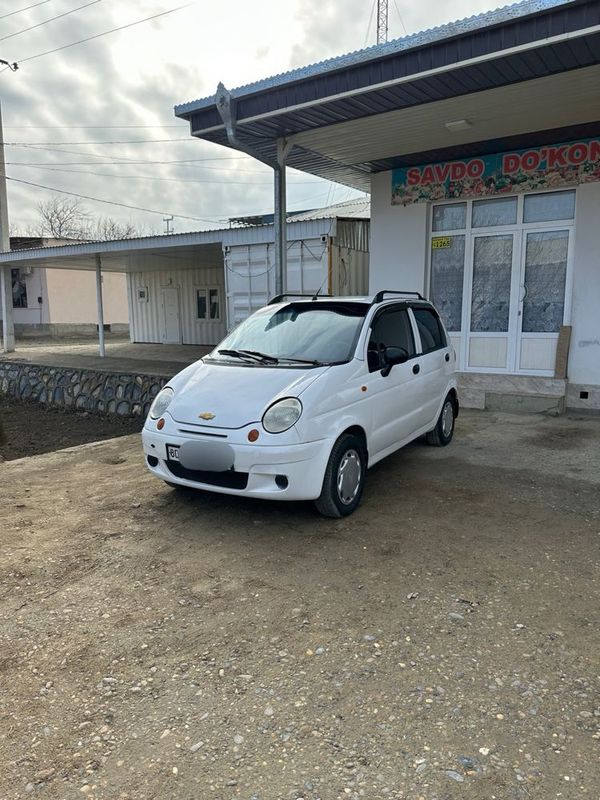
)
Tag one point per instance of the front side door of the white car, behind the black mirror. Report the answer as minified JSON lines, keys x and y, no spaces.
{"x":393,"y":398}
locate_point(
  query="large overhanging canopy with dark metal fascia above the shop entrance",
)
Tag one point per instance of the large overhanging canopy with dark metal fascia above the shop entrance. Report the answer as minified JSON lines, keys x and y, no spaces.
{"x":528,"y":67}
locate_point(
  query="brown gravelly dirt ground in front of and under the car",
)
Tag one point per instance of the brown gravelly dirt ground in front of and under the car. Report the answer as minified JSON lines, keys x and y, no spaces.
{"x":441,"y":643}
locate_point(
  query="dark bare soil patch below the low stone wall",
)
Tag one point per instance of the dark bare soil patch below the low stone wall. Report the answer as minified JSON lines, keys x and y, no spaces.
{"x":31,"y":428}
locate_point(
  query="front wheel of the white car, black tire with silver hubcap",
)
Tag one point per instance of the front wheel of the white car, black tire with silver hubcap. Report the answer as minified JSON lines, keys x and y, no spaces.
{"x":344,"y":478}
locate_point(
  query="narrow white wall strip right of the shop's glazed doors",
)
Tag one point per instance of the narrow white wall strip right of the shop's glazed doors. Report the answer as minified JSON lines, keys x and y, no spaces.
{"x":584,"y":354}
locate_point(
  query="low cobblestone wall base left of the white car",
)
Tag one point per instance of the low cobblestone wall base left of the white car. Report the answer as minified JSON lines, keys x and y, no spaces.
{"x":124,"y":394}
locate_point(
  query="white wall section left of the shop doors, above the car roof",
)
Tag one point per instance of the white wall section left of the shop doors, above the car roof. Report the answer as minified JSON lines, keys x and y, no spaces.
{"x":398,"y":249}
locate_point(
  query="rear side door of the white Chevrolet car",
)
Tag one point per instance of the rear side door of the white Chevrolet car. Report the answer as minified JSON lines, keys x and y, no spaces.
{"x":434,"y":361}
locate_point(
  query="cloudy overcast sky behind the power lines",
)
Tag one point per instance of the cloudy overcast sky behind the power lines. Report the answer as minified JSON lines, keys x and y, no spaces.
{"x":135,"y":76}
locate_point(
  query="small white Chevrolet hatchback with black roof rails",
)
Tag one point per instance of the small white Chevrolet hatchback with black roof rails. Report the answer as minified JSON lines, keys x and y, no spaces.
{"x":303,"y":397}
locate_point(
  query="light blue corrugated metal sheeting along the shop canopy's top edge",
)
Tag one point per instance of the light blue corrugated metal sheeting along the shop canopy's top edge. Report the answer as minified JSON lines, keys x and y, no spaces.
{"x":415,"y":40}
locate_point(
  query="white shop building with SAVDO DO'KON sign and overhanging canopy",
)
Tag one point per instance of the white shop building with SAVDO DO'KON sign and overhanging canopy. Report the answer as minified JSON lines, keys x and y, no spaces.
{"x":479,"y":142}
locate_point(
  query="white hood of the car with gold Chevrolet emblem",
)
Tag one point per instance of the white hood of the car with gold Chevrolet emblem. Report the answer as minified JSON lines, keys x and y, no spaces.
{"x":236,"y":395}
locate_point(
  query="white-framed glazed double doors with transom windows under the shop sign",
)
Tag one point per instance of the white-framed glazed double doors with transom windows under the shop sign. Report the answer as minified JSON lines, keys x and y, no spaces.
{"x":500,"y":276}
